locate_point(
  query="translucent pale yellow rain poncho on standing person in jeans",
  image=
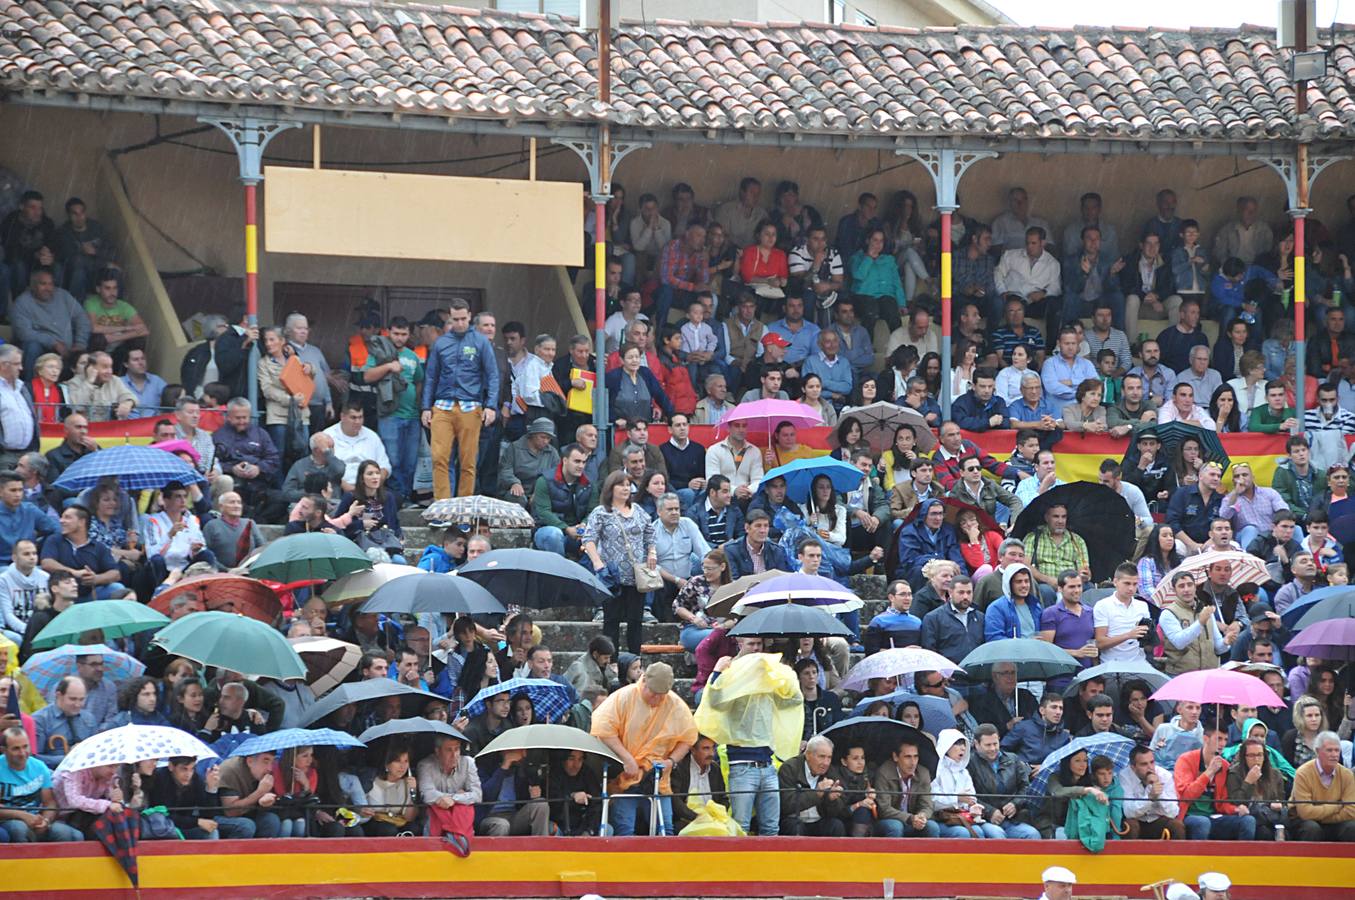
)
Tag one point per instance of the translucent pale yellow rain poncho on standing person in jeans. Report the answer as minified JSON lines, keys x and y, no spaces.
{"x":755,"y":703}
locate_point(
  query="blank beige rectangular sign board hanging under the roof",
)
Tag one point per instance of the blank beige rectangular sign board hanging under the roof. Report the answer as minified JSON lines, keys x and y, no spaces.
{"x":399,"y":216}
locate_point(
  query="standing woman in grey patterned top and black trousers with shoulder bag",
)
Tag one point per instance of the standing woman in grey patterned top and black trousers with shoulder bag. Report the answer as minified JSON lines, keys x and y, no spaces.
{"x":620,"y":536}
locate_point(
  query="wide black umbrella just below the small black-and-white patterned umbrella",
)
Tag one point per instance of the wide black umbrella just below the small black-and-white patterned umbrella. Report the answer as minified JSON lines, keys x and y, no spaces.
{"x":536,"y":579}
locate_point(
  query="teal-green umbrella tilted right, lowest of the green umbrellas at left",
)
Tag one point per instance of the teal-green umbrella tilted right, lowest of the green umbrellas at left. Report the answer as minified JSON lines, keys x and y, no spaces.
{"x":232,"y":642}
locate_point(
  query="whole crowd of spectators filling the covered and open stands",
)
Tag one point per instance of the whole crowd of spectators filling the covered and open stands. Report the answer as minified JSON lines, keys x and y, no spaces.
{"x":708,"y":310}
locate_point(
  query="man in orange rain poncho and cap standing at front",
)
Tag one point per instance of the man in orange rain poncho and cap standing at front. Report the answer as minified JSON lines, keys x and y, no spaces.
{"x":644,"y":724}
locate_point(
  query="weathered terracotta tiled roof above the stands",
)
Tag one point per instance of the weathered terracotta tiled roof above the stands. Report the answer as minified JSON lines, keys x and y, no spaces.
{"x":983,"y":82}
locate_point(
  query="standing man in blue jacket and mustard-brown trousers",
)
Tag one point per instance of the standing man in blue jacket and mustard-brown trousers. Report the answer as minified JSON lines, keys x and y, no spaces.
{"x":460,"y":395}
